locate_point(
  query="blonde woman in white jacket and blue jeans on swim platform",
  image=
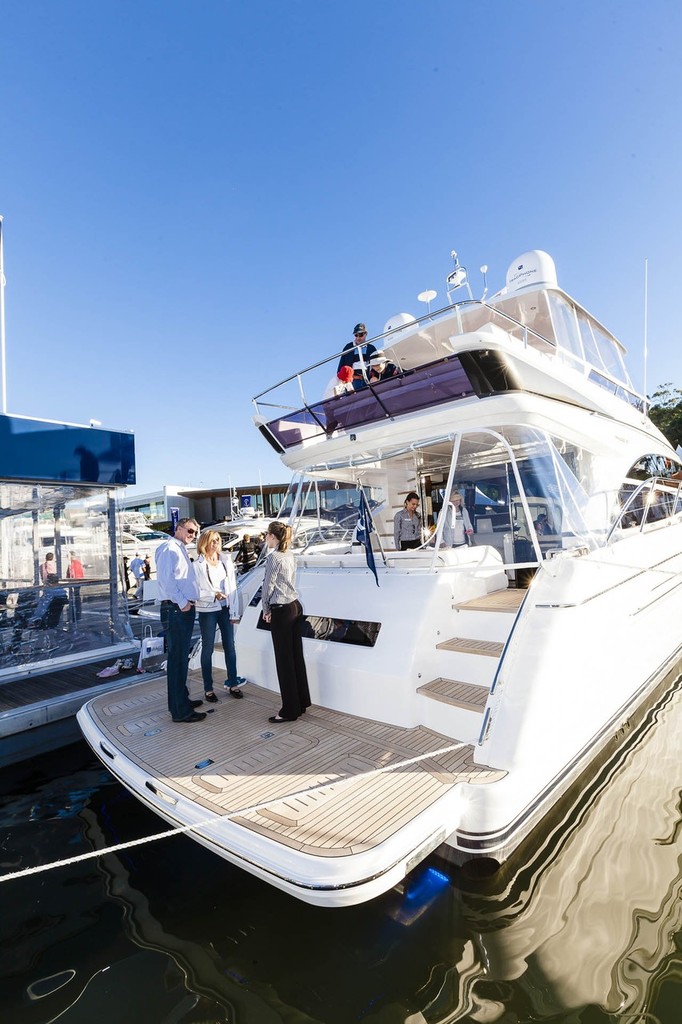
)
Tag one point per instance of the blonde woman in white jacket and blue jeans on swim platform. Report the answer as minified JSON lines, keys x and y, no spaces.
{"x":220,"y":607}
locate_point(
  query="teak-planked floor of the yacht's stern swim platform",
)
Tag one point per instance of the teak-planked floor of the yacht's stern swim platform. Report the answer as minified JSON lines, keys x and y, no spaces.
{"x":255,"y":763}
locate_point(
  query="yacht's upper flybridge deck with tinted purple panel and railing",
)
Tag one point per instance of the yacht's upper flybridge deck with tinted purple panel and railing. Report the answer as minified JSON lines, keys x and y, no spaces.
{"x":437,"y":365}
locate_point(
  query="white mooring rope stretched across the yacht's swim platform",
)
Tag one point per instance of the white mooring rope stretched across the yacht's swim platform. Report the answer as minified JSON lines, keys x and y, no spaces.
{"x":219,"y":819}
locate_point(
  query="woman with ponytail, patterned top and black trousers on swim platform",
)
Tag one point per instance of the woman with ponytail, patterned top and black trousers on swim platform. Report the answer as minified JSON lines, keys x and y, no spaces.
{"x":284,"y":613}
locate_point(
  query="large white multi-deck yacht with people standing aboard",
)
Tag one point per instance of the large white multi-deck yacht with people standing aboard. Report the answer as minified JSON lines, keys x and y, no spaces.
{"x":461,"y":695}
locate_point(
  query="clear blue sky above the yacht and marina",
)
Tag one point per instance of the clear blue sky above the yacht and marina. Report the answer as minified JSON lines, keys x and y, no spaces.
{"x":201,"y":198}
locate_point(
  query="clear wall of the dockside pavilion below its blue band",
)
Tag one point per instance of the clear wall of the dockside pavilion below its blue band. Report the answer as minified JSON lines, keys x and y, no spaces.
{"x":61,"y":588}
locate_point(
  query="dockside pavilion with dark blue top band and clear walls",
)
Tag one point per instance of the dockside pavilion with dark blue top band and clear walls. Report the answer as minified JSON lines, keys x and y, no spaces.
{"x":62,"y":596}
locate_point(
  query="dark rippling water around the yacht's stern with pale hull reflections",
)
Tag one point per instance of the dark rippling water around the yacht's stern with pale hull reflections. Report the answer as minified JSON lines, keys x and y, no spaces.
{"x":589,"y":933}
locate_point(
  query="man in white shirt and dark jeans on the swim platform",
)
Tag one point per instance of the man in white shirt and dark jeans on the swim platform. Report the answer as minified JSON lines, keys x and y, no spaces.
{"x":179,"y":591}
